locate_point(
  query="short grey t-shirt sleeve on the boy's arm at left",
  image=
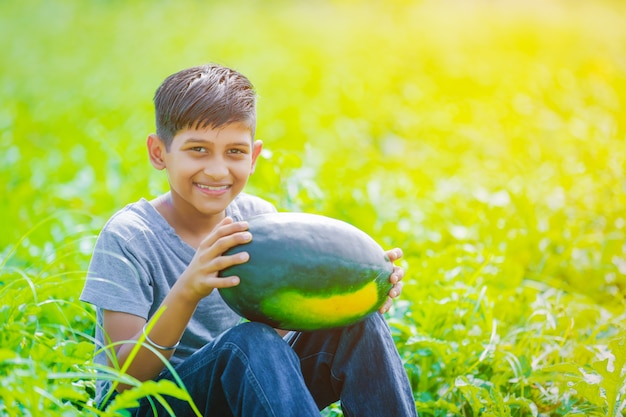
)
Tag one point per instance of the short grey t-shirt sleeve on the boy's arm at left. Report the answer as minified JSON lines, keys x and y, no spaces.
{"x":117,"y":280}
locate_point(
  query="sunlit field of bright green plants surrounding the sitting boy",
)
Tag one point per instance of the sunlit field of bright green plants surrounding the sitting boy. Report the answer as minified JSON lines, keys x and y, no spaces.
{"x":485,"y":138}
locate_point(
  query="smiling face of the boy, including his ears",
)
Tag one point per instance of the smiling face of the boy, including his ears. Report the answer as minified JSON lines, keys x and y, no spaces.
{"x":208,"y":167}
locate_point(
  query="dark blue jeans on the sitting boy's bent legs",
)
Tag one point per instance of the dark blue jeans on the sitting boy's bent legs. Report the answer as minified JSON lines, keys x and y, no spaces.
{"x":250,"y":371}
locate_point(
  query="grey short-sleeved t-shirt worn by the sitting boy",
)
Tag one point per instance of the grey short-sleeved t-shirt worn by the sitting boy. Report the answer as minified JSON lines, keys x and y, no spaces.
{"x":137,"y":258}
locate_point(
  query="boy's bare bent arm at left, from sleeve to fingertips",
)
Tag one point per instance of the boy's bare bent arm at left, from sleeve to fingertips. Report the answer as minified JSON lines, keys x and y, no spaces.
{"x":196,"y":282}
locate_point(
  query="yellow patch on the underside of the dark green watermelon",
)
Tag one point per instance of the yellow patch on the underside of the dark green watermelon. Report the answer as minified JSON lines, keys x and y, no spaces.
{"x":311,"y":311}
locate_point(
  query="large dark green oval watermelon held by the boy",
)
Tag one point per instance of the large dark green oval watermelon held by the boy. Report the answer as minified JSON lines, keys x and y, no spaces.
{"x":307,"y":272}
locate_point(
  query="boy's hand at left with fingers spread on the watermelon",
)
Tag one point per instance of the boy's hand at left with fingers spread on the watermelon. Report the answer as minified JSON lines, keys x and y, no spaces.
{"x":201,"y":276}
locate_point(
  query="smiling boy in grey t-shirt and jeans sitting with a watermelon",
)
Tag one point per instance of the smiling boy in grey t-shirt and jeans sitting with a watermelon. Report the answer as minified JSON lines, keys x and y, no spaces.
{"x":167,"y":253}
